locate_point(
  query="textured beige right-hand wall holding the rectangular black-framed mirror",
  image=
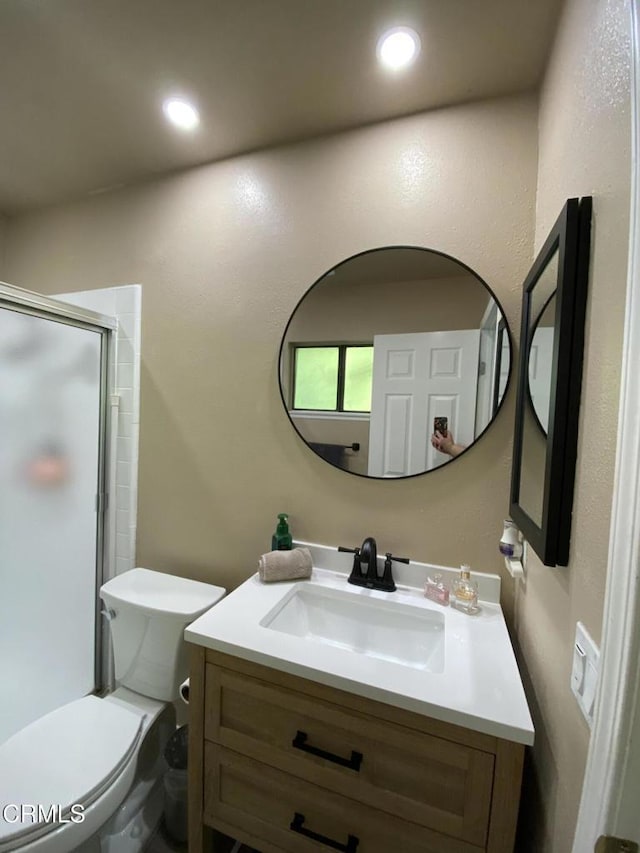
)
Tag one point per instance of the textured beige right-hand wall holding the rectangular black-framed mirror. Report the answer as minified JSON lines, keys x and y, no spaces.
{"x":584,"y":150}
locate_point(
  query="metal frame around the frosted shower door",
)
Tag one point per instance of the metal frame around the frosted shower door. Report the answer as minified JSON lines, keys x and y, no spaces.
{"x":27,"y":302}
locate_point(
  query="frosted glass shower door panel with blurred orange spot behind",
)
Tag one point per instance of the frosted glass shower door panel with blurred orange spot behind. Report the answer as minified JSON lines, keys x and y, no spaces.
{"x":50,"y":428}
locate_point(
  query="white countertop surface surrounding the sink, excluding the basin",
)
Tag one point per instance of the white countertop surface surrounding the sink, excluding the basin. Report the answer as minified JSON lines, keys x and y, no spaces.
{"x":480,"y":687}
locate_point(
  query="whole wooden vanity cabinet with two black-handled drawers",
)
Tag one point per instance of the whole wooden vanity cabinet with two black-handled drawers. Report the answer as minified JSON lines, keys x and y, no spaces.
{"x":288,"y":765}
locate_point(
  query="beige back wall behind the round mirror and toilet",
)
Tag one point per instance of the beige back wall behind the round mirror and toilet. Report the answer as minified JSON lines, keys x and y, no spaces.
{"x":224,"y":252}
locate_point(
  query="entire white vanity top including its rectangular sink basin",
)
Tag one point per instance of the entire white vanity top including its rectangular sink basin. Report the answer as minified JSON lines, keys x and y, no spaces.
{"x":397,"y":648}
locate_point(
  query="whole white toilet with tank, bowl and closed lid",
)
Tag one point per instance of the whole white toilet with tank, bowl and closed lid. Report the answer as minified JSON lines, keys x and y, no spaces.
{"x":104,"y":756}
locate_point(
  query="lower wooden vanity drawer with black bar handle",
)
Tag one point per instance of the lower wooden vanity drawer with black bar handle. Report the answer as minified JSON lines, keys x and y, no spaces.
{"x":288,"y":814}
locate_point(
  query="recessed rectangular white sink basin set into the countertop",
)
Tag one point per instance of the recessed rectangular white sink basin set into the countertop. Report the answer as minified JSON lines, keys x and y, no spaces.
{"x":379,"y":628}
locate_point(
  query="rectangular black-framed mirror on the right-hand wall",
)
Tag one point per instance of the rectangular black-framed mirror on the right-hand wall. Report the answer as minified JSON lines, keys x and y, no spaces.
{"x":549,"y":380}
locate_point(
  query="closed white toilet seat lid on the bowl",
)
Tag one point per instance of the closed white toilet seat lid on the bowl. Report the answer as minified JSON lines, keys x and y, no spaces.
{"x":70,"y":756}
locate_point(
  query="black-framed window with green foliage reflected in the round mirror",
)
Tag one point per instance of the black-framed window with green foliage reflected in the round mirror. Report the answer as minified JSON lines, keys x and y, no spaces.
{"x":332,"y":378}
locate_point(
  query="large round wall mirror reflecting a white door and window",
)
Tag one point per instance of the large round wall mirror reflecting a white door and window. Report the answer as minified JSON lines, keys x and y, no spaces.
{"x":383,"y":344}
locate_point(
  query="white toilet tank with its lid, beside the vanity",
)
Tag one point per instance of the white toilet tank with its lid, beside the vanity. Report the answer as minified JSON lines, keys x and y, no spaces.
{"x":148,"y":613}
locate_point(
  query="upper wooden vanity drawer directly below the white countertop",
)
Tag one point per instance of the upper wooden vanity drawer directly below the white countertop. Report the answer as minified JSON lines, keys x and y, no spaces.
{"x":411,"y":775}
